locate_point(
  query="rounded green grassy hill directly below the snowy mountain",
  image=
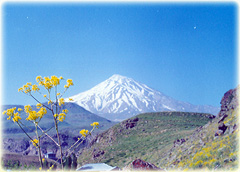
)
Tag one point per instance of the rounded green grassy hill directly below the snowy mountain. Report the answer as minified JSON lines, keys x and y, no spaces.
{"x":146,"y":136}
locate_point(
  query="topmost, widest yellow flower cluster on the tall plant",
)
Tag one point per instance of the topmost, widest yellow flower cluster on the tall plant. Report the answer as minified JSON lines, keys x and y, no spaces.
{"x":47,"y":82}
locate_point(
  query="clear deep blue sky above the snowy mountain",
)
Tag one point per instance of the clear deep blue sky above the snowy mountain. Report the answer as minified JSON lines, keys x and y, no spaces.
{"x":186,"y":51}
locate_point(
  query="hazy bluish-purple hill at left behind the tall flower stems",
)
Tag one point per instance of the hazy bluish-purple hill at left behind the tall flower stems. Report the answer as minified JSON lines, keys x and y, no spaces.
{"x":77,"y":118}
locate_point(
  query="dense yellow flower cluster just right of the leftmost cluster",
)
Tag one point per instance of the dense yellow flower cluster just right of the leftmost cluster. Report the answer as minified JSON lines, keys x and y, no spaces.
{"x":34,"y":115}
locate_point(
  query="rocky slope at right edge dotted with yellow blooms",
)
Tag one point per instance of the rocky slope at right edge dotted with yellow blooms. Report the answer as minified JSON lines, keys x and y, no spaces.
{"x":214,"y":146}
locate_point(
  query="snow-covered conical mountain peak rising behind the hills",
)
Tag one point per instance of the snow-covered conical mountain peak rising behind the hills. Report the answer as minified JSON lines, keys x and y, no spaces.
{"x":119,"y":98}
